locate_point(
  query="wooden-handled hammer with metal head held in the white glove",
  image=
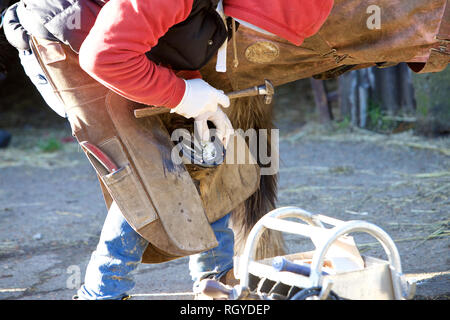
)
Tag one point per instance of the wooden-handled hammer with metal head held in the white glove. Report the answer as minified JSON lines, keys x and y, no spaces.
{"x":267,"y":90}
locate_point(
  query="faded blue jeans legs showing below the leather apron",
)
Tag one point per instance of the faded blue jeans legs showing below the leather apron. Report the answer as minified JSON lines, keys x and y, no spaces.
{"x":120,"y":249}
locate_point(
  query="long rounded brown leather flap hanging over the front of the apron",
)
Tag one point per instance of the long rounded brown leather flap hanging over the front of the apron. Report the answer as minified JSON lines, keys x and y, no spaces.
{"x":169,"y":186}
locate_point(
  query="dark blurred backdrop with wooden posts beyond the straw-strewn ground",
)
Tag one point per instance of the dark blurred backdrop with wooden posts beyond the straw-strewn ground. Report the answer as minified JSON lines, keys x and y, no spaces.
{"x":386,"y":100}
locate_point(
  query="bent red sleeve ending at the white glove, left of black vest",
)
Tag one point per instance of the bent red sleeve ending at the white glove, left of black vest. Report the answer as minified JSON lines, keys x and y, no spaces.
{"x":114,"y":51}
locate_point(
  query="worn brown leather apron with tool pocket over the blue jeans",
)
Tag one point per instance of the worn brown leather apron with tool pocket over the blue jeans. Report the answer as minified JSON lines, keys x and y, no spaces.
{"x":157,"y":197}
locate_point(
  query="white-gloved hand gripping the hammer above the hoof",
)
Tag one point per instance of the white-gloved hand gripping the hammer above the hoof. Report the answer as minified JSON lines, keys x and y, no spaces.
{"x":200,"y":101}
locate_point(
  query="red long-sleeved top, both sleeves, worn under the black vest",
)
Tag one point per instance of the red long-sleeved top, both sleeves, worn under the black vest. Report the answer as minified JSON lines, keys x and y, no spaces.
{"x":114,"y":51}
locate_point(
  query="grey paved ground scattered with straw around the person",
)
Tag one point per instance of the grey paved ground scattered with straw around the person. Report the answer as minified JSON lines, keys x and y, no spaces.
{"x":52,"y":210}
